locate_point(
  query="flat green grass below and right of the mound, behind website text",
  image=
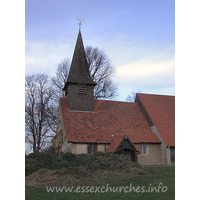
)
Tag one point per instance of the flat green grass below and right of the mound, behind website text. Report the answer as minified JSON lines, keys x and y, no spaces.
{"x":156,"y":175}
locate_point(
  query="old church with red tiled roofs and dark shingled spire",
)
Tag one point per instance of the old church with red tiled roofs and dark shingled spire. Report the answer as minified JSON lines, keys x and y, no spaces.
{"x":144,"y":130}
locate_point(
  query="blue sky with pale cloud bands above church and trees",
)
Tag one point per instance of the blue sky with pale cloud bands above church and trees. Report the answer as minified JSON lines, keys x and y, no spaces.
{"x":138,"y":37}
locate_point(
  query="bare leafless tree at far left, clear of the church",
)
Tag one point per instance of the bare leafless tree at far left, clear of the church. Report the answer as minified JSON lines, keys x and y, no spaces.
{"x":38,"y":94}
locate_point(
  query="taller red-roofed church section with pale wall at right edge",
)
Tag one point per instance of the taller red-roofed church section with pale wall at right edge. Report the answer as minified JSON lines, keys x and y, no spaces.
{"x":159,"y":111}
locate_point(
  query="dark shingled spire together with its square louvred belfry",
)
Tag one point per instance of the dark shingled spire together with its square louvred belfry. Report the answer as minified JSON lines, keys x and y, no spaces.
{"x":79,"y":88}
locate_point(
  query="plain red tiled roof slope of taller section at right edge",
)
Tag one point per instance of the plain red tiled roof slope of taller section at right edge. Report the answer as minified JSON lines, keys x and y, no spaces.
{"x":161,"y":110}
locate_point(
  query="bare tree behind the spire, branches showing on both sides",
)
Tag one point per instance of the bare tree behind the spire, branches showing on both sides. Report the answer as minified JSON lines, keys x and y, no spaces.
{"x":101,"y":71}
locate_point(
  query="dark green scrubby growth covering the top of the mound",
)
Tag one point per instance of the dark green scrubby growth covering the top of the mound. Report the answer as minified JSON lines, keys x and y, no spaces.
{"x":82,"y":164}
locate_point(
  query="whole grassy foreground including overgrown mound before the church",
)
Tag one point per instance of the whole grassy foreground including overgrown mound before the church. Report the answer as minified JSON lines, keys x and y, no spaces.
{"x":98,"y":169}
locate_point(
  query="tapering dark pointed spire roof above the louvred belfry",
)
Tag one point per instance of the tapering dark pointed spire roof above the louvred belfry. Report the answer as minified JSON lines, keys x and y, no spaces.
{"x":79,"y":71}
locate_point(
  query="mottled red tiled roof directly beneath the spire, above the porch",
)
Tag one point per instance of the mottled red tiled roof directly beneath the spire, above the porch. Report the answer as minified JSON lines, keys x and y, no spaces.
{"x":109,"y":118}
